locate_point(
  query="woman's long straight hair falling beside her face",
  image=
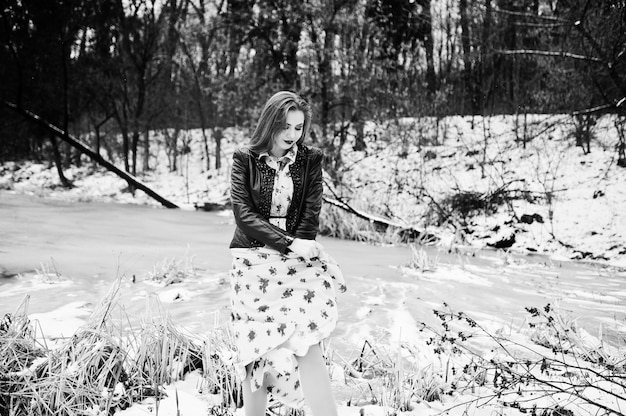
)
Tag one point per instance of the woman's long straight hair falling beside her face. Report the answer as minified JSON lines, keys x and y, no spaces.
{"x":273,"y":119}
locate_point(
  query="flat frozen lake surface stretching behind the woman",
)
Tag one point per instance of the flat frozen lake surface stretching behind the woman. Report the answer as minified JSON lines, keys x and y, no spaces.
{"x":90,"y":244}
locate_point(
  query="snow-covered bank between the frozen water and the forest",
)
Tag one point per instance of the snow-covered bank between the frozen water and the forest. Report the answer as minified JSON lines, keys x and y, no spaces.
{"x":561,"y":201}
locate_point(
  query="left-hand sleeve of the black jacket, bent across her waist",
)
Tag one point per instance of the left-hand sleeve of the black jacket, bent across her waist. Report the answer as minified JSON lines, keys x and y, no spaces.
{"x":247,"y":217}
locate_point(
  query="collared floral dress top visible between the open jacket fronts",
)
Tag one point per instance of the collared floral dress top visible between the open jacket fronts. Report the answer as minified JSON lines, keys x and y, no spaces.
{"x":283,"y":185}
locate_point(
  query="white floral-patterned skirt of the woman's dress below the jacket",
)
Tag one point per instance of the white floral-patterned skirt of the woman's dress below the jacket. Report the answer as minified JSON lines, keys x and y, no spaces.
{"x":281,"y":305}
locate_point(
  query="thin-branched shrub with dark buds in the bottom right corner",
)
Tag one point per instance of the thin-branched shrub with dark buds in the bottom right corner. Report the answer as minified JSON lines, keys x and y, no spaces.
{"x":555,"y":375}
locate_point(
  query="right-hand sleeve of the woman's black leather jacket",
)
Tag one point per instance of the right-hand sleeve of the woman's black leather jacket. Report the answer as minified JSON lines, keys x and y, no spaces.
{"x":312,"y":202}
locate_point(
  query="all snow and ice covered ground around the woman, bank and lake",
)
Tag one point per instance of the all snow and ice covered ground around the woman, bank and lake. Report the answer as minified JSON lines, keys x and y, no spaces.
{"x":387,"y":301}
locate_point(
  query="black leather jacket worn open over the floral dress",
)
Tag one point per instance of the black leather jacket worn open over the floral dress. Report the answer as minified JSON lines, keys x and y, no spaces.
{"x":251,"y":185}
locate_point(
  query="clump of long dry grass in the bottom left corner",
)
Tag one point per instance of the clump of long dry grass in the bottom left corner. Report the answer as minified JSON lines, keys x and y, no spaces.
{"x":106,"y":365}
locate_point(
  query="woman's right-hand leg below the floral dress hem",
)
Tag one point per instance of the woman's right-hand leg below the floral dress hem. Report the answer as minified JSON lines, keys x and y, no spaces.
{"x":316,"y":383}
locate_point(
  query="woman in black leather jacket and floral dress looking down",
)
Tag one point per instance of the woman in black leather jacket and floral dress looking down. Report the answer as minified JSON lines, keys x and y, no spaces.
{"x":283,"y":283}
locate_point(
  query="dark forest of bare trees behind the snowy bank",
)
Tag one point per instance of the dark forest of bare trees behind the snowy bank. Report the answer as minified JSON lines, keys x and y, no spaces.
{"x":109,"y":68}
